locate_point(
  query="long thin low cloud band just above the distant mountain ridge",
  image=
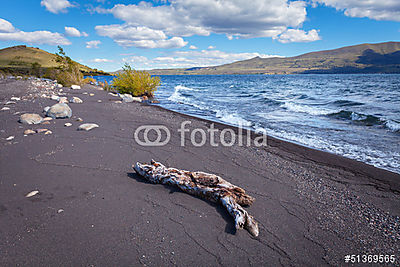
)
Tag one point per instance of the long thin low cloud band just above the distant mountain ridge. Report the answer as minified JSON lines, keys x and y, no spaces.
{"x":187,"y":59}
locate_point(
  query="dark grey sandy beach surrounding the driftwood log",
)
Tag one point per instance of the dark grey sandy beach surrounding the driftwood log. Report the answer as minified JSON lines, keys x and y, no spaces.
{"x":313,"y":208}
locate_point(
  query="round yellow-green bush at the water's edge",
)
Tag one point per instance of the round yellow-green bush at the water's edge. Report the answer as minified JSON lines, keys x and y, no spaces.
{"x":136,"y":83}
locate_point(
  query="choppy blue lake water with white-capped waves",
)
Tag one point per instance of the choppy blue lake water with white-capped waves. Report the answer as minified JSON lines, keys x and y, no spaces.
{"x":357,"y":116}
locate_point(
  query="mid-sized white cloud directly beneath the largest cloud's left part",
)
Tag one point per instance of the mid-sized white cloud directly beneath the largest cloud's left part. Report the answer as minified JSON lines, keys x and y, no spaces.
{"x":142,"y":37}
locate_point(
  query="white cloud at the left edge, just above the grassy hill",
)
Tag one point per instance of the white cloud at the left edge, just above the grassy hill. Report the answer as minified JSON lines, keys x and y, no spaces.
{"x":9,"y":33}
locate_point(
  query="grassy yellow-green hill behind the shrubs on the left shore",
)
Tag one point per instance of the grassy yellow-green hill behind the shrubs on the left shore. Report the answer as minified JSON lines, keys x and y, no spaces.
{"x":20,"y":59}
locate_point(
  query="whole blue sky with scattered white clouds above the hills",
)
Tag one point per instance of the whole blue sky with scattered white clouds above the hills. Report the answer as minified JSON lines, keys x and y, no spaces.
{"x":106,"y":34}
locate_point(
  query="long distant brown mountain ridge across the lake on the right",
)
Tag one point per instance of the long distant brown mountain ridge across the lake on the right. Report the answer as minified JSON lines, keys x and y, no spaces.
{"x":363,"y":58}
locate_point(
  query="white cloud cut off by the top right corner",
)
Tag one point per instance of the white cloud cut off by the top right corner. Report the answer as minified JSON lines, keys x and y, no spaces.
{"x":374,"y":9}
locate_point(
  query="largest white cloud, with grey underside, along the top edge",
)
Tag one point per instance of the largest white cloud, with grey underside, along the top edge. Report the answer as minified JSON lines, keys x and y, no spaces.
{"x":241,"y":18}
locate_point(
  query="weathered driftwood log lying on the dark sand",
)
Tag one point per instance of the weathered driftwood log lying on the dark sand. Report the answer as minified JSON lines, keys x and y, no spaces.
{"x":204,"y":185}
